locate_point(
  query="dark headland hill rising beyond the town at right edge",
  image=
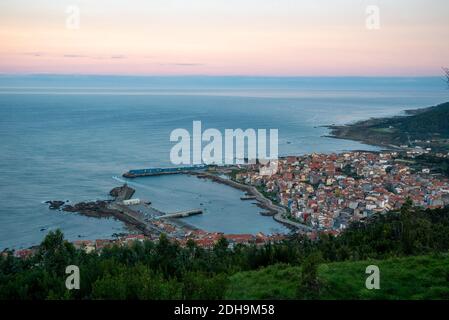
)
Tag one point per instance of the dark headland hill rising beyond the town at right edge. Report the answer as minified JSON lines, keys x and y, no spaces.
{"x":414,"y":129}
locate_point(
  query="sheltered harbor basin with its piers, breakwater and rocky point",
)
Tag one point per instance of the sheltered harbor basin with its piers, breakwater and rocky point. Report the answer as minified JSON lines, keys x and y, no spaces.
{"x":185,"y":203}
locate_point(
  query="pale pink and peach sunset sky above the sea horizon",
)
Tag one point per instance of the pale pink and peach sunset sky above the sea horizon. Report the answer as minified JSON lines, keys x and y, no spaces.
{"x":225,"y":37}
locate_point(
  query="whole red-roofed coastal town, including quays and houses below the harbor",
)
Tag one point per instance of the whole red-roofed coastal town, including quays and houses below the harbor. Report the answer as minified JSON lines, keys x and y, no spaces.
{"x":323,"y":193}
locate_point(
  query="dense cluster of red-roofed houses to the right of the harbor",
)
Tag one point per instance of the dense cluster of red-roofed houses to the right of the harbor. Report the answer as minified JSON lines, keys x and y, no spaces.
{"x":328,"y":191}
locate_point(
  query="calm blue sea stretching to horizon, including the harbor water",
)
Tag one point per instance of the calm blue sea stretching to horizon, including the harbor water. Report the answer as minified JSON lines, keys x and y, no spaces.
{"x":67,"y":137}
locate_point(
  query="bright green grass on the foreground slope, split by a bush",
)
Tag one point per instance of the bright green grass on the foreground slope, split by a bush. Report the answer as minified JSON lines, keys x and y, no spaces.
{"x":421,"y":277}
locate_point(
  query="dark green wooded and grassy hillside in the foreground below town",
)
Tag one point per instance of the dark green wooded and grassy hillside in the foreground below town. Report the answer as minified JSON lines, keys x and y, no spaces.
{"x":410,"y":246}
